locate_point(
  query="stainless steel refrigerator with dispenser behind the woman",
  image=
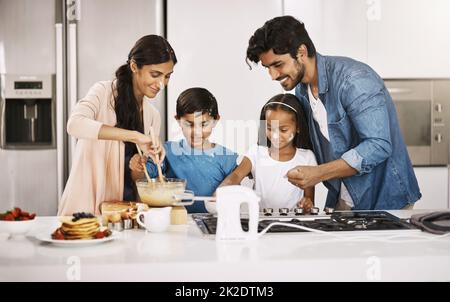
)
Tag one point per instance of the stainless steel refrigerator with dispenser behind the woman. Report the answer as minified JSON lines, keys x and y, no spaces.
{"x":75,"y":44}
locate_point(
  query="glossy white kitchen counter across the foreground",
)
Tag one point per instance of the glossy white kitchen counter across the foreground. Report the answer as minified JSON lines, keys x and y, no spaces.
{"x":184,"y":254}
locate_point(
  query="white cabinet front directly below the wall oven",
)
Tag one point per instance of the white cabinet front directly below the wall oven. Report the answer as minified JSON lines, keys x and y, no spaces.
{"x":433,"y":183}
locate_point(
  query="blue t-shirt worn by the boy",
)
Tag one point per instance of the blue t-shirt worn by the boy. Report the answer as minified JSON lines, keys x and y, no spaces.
{"x":203,"y":170}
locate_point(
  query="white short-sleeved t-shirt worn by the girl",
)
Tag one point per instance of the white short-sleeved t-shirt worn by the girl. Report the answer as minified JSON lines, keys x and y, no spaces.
{"x":269,"y":174}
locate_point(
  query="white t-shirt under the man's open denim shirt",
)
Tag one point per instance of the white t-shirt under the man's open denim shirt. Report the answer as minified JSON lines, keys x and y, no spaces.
{"x":320,"y":116}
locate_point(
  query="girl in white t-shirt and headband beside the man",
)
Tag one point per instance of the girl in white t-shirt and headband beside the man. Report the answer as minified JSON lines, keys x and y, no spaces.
{"x":283,"y":144}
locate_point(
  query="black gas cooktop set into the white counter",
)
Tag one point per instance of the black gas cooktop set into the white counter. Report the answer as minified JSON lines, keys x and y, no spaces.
{"x":338,"y":221}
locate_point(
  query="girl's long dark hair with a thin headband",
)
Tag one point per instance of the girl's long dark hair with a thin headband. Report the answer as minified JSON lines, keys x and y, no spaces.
{"x":301,"y":140}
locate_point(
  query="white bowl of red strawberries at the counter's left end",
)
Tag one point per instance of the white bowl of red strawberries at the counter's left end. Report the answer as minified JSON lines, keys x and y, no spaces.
{"x":16,"y":222}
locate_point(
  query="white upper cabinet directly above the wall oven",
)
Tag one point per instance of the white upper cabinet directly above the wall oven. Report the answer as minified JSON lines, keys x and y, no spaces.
{"x":410,"y":39}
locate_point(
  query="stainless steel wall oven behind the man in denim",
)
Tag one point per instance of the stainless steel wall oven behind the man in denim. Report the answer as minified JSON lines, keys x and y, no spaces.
{"x":423,"y":110}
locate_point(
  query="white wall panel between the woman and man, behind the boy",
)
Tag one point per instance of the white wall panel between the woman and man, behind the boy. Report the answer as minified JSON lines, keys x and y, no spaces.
{"x":210,"y":38}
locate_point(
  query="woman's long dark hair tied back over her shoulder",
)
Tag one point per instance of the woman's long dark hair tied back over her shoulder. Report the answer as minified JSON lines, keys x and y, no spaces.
{"x":148,"y":50}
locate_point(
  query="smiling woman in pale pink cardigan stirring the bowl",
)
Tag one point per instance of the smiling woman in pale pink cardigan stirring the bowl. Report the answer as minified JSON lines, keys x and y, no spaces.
{"x":109,"y":121}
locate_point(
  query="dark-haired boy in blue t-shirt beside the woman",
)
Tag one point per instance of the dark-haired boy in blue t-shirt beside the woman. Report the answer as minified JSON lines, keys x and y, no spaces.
{"x":202,"y":163}
